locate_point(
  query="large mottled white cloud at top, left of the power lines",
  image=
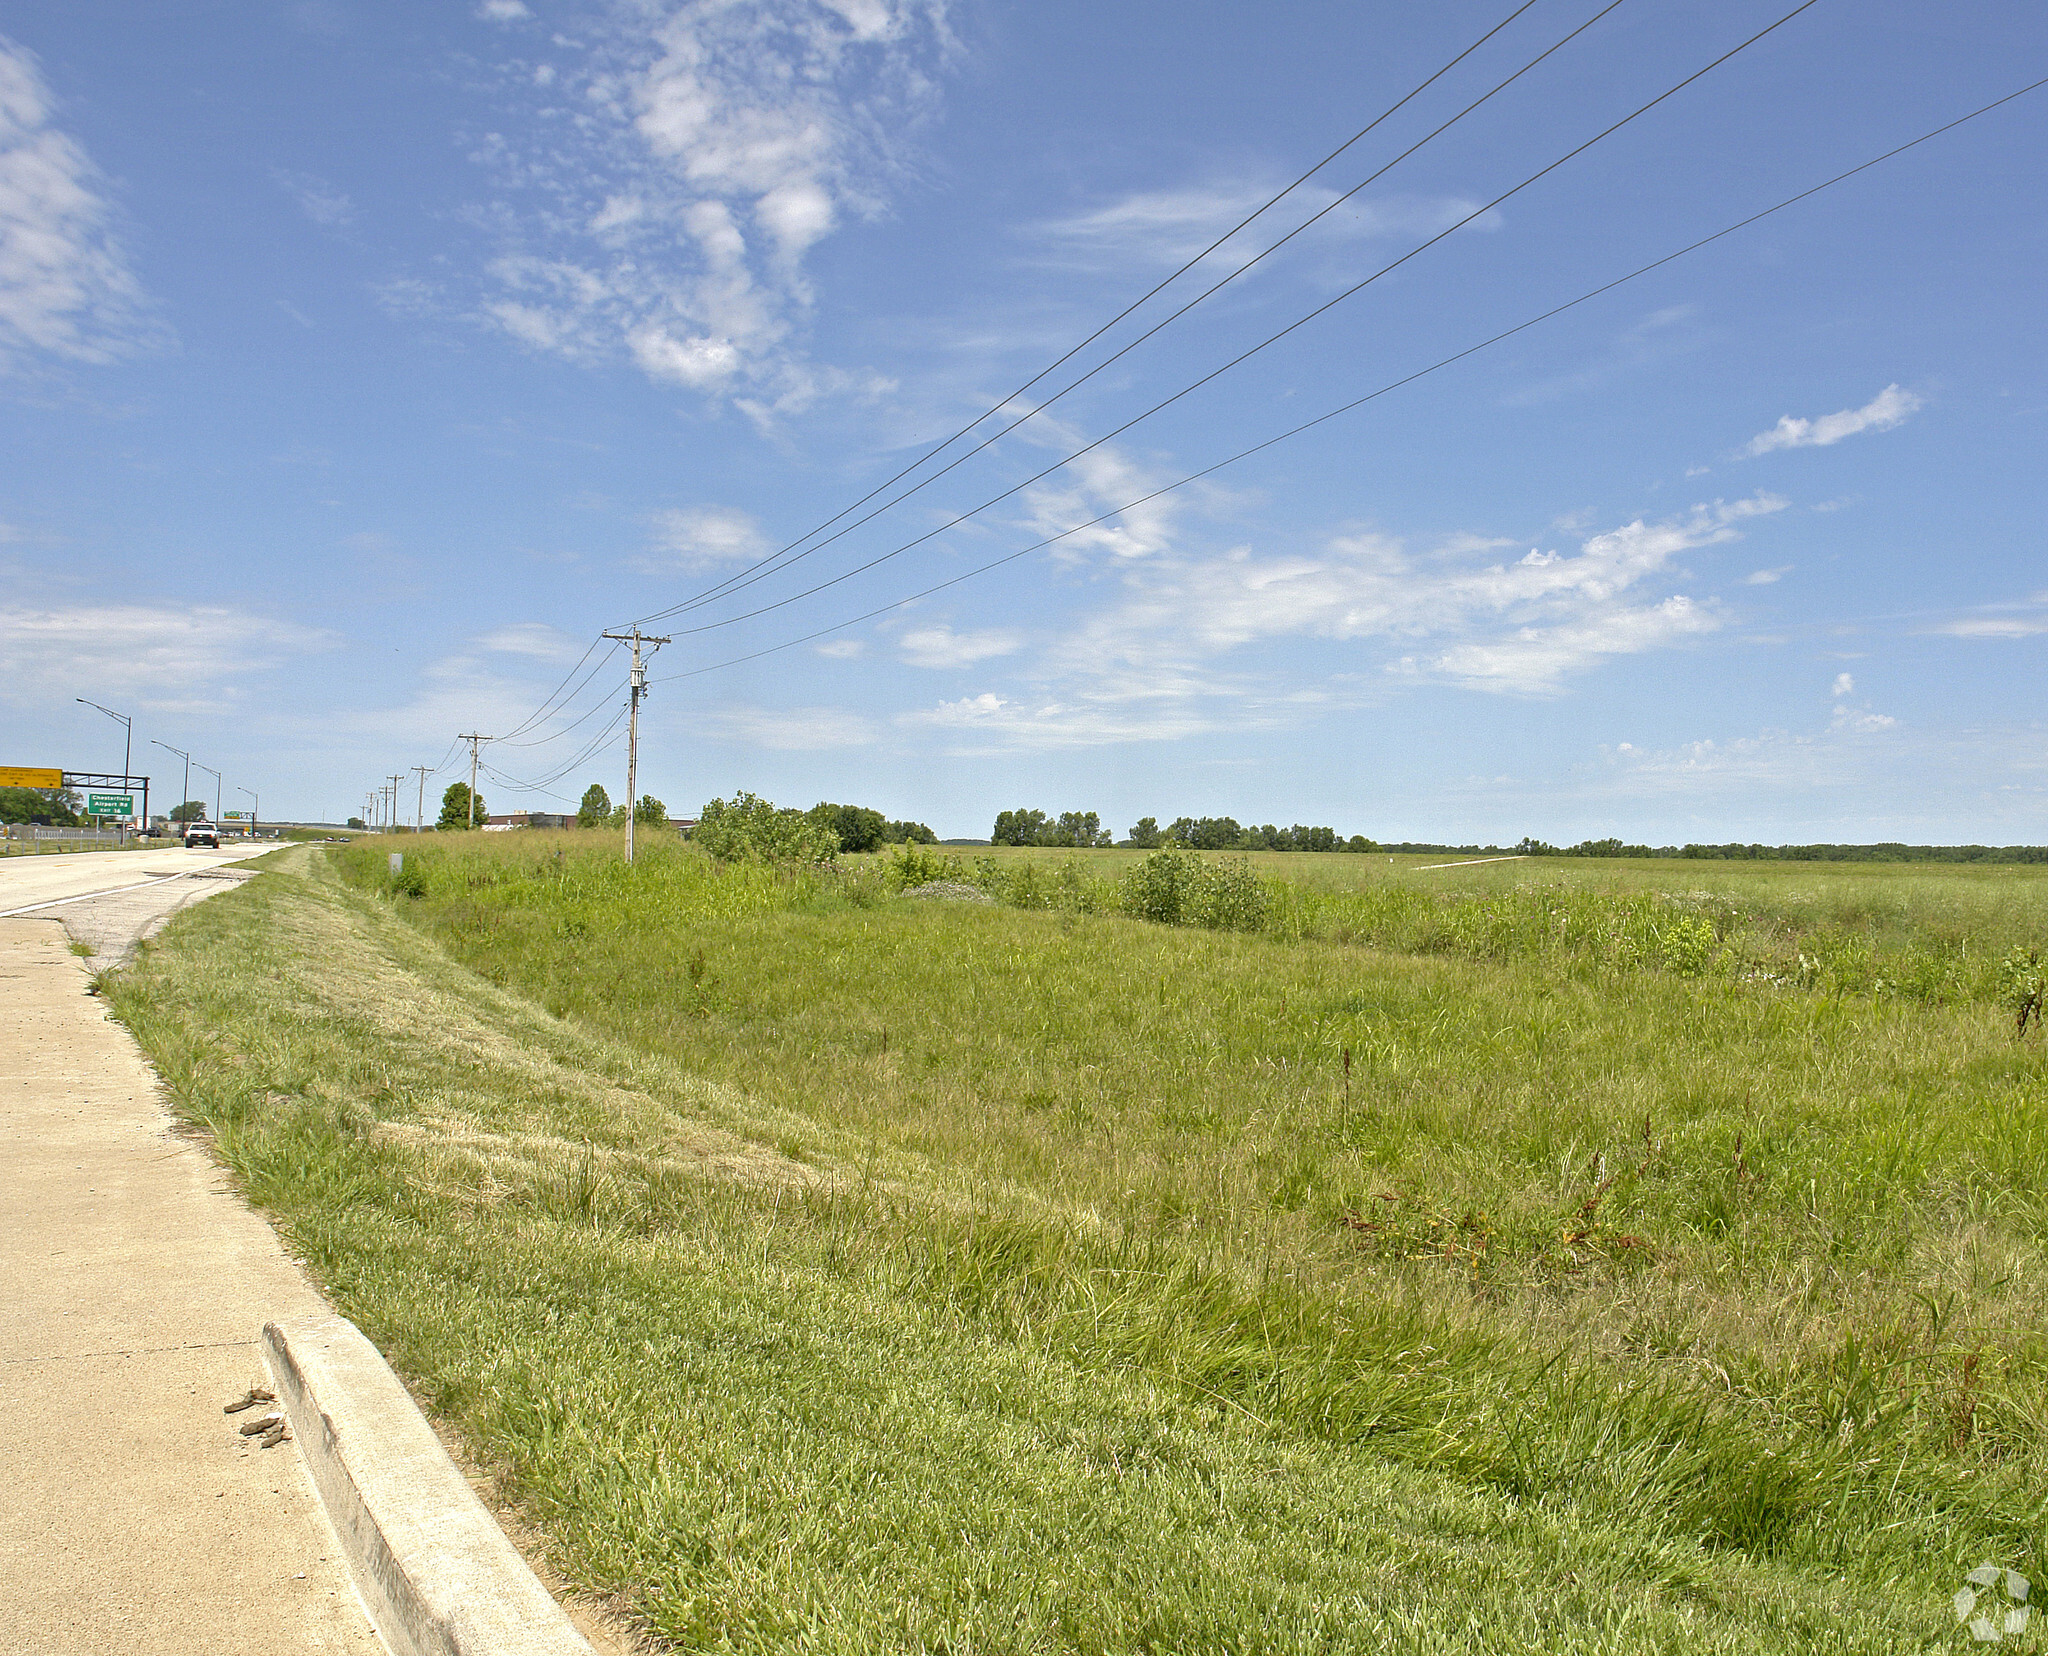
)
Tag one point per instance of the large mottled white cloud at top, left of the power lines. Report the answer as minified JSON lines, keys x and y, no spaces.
{"x":724,"y":142}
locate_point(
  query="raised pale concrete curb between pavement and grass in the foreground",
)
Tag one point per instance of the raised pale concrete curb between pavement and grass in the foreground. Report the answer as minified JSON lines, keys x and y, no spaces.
{"x":435,"y":1571}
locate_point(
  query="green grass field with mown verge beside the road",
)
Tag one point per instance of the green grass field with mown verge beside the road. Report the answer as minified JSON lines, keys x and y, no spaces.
{"x":1537,"y":1256}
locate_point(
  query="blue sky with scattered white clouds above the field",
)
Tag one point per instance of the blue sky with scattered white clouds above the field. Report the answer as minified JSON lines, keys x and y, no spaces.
{"x":366,"y":361}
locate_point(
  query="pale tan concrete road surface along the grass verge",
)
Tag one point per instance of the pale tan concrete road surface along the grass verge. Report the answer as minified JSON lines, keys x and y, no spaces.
{"x":132,"y":1289}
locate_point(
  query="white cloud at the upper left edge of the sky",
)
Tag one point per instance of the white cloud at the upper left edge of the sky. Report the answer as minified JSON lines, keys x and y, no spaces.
{"x":65,"y":284}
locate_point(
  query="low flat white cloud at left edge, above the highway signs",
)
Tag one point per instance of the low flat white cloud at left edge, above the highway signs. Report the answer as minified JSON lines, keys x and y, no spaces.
{"x":165,"y":654}
